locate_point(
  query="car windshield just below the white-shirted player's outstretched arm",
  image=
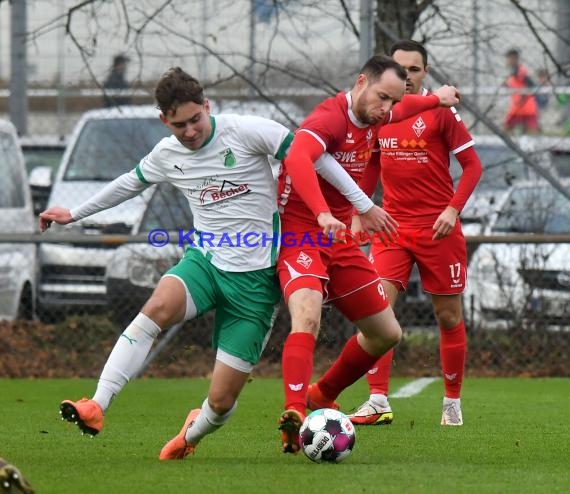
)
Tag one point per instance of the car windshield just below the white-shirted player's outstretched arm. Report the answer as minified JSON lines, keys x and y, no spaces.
{"x":167,"y":210}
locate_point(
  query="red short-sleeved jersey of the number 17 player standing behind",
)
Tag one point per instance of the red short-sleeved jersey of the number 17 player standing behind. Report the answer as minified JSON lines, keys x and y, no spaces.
{"x":414,"y":164}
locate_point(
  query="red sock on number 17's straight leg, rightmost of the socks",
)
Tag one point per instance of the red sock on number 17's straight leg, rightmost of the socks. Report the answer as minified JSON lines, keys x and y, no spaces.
{"x":452,"y":351}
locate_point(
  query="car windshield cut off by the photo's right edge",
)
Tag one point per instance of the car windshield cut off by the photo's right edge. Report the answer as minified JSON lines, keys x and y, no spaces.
{"x":540,"y":209}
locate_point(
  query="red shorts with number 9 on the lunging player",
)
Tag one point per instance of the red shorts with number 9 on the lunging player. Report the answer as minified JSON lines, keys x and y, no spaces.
{"x":340,"y":271}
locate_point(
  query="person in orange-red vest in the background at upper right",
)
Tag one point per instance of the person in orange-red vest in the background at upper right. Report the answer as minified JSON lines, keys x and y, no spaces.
{"x":523,"y":110}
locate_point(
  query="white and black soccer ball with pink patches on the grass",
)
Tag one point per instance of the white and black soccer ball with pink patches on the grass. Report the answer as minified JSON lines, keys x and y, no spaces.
{"x":327,"y":435}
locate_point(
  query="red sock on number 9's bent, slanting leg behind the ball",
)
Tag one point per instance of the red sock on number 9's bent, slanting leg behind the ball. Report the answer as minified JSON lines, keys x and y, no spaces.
{"x":351,"y":365}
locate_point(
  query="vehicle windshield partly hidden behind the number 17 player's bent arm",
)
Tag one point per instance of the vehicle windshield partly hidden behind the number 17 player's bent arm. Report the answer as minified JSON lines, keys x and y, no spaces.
{"x":501,"y":167}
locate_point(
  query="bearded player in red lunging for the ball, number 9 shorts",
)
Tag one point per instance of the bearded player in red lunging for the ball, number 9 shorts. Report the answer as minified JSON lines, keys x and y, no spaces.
{"x":311,"y":268}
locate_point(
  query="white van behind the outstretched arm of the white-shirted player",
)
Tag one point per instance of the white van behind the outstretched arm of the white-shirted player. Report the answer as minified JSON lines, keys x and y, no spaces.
{"x":104,"y":144}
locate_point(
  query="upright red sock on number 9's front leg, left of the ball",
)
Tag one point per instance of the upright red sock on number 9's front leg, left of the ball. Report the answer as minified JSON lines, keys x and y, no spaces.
{"x":297,"y":368}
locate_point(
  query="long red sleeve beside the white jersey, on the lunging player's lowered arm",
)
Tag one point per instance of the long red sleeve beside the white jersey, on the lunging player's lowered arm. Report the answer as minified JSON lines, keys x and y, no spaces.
{"x":299,"y":165}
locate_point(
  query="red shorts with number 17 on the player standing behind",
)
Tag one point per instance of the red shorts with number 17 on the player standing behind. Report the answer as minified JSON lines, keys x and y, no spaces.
{"x":442,"y":263}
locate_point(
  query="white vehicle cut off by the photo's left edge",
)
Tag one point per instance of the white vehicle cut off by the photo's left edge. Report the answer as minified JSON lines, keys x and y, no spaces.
{"x":18,"y":261}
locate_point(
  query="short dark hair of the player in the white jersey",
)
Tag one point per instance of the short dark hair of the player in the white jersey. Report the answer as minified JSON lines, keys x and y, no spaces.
{"x":176,"y":87}
